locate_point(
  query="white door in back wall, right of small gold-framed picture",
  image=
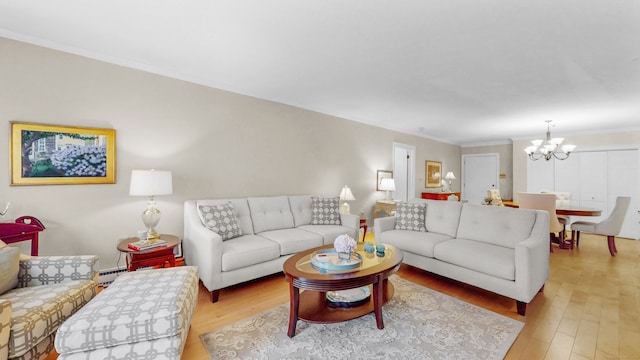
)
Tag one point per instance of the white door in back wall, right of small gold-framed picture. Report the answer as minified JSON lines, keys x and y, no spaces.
{"x":479,"y":173}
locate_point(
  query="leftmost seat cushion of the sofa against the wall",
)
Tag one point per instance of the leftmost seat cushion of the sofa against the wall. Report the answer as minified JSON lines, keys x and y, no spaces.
{"x":248,"y":250}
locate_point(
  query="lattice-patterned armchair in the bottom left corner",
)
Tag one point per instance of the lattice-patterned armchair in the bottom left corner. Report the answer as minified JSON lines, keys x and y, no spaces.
{"x":49,"y":289}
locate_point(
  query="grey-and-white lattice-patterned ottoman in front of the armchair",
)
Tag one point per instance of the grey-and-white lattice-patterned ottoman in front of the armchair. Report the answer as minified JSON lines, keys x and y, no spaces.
{"x":141,"y":315}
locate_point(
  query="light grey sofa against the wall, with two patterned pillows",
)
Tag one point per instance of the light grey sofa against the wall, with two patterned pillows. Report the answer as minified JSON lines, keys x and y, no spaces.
{"x":269,"y":231}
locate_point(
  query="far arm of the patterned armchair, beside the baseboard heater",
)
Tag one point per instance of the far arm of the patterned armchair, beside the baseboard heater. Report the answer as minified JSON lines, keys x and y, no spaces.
{"x":44,"y":270}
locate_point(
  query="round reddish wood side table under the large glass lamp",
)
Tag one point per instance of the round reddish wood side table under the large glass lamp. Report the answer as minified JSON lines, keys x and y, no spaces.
{"x":158,"y":256}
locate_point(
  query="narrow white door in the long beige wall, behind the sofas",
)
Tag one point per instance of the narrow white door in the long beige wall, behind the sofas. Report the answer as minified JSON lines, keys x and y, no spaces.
{"x":404,"y":171}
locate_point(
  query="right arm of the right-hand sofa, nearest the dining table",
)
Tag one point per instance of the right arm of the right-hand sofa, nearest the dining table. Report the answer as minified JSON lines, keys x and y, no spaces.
{"x":532,"y":259}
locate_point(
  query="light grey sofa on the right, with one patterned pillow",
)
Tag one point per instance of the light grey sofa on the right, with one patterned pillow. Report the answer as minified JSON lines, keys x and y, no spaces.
{"x":500,"y":249}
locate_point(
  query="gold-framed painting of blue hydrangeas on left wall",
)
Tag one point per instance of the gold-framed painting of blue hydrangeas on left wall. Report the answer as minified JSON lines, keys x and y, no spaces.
{"x":57,"y":155}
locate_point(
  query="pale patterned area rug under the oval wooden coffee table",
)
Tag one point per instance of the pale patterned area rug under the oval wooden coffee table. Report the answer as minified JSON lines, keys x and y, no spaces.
{"x":419,"y":324}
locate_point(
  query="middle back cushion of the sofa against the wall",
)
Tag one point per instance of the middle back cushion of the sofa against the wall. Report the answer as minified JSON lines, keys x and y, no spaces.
{"x":270,"y":213}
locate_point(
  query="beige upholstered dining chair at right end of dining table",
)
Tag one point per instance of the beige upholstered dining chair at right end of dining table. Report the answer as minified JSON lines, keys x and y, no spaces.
{"x":610,"y":227}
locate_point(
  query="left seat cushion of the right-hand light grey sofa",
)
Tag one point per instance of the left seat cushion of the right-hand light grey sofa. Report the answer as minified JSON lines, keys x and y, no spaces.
{"x":419,"y":243}
